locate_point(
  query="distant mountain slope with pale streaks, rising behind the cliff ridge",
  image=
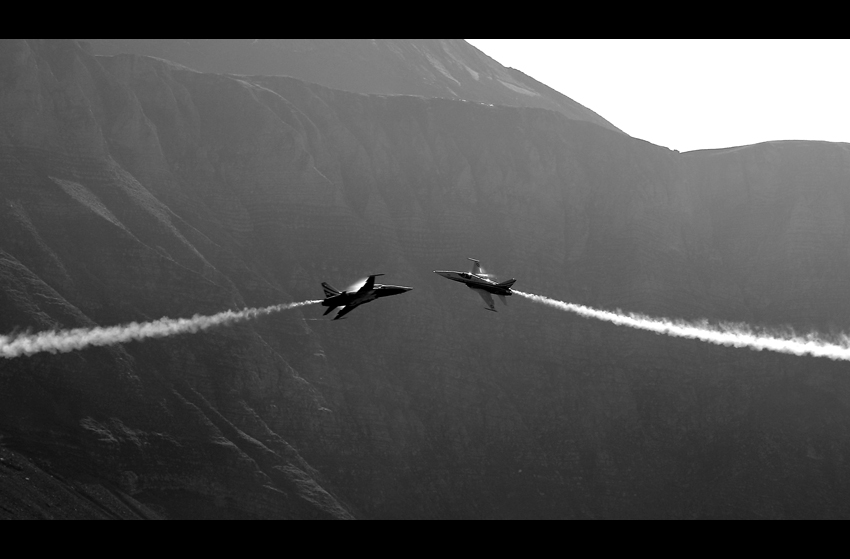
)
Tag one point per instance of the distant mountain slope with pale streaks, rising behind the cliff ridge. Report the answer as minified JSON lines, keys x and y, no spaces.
{"x":448,"y":68}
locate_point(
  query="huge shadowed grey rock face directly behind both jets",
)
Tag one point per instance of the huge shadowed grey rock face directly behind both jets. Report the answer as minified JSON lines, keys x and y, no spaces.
{"x":132,"y":189}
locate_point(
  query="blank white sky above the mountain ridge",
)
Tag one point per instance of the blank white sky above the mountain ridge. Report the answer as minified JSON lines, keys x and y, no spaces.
{"x":696,"y":94}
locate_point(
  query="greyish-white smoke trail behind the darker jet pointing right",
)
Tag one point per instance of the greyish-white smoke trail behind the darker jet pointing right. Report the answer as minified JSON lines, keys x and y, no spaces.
{"x":62,"y":341}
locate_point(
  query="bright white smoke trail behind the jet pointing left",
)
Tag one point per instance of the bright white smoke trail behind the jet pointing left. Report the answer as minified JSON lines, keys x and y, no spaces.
{"x":727,"y":334}
